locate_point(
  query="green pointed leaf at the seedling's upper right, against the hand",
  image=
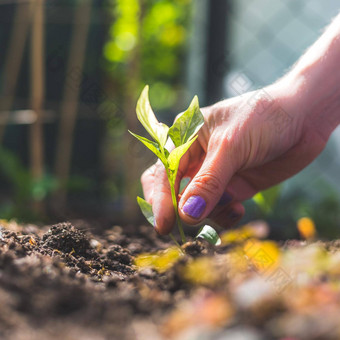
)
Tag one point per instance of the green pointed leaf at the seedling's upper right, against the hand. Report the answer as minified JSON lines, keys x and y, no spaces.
{"x":187,"y":125}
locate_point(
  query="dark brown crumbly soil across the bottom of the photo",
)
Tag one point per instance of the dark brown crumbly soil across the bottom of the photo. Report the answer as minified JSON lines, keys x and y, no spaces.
{"x":65,"y":282}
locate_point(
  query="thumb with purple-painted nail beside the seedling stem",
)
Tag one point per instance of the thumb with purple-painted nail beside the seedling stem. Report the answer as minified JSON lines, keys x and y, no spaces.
{"x":206,"y":188}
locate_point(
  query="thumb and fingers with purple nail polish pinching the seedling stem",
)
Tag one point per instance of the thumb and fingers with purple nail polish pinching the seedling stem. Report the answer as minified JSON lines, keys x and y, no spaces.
{"x":201,"y":195}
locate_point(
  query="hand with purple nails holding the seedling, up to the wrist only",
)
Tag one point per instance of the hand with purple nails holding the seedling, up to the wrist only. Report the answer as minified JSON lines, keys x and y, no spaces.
{"x":247,"y":144}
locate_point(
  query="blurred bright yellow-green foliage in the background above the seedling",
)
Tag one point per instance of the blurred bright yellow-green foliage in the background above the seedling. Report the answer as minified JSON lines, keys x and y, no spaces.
{"x":155,"y":33}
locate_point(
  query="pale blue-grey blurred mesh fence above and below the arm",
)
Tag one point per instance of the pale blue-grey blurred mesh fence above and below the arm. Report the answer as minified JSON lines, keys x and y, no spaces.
{"x":267,"y":38}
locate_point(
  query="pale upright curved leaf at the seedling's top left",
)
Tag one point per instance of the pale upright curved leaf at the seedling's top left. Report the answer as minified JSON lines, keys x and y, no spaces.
{"x":158,"y":131}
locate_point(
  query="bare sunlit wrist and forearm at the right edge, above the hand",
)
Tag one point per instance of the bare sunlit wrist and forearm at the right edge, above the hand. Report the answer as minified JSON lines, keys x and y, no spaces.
{"x":318,"y":78}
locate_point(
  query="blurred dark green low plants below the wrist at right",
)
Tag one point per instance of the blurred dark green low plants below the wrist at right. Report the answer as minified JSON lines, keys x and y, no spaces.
{"x":320,"y":202}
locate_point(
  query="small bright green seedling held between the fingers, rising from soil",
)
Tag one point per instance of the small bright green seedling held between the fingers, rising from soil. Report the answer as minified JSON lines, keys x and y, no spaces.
{"x":183,"y":133}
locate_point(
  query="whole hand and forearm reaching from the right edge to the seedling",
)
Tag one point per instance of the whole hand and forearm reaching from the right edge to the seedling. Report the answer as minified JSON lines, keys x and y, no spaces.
{"x":254,"y":141}
